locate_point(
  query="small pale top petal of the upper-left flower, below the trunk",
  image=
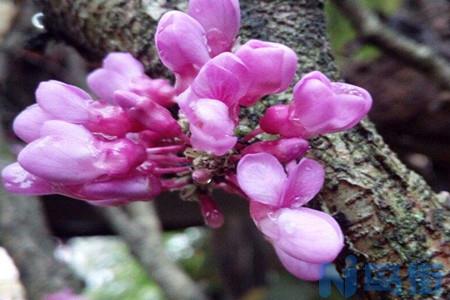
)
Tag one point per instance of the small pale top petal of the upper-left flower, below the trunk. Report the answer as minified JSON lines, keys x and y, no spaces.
{"x":123,"y":63}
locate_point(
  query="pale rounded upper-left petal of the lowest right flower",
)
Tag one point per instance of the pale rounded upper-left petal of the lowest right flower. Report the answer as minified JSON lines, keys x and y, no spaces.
{"x":261,"y":177}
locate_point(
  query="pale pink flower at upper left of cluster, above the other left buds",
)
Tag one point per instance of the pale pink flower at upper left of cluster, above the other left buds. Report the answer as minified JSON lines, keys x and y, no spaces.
{"x":122,"y":72}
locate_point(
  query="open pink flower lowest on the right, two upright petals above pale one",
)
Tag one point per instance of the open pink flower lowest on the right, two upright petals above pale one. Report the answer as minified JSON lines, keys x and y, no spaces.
{"x":304,"y":238}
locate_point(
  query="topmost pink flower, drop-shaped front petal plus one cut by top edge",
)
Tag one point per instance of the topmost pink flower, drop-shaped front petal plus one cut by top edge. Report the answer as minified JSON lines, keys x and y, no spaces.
{"x":185,"y":42}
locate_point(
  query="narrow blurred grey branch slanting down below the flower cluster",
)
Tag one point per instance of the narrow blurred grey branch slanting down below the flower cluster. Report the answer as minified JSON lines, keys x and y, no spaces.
{"x":139,"y":226}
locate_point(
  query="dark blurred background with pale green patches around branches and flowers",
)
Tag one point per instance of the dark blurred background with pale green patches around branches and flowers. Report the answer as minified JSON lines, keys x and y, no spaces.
{"x":411,"y":111}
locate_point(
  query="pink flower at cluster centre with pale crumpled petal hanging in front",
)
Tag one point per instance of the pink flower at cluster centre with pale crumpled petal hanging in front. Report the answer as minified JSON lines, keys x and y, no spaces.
{"x":211,"y":103}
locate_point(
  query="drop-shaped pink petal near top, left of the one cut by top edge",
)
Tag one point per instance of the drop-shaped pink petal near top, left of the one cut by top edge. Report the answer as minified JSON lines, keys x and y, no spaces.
{"x":182,"y":46}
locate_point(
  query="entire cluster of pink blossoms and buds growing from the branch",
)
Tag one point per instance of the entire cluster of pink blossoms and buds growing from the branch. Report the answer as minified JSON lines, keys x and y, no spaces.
{"x":132,"y":143}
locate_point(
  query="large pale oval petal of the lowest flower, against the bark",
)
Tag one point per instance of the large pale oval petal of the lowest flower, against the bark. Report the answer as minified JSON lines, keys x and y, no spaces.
{"x":308,"y":234}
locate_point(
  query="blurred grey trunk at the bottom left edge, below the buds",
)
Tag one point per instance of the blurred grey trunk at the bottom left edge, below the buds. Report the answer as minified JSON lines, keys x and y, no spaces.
{"x":24,"y":234}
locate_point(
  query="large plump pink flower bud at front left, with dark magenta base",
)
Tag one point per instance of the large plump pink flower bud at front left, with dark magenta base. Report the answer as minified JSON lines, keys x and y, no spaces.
{"x":70,"y":154}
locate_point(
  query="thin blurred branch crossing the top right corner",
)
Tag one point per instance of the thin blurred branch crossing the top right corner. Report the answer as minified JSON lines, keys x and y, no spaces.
{"x":373,"y":30}
